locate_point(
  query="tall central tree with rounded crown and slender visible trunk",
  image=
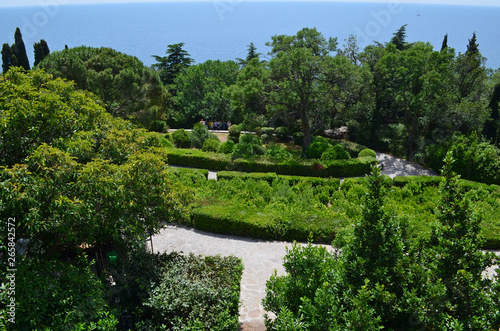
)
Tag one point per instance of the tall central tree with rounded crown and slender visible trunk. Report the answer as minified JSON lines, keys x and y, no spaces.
{"x":297,"y":75}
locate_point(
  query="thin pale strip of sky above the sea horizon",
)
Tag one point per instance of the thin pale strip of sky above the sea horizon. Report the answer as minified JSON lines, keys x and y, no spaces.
{"x":15,"y":3}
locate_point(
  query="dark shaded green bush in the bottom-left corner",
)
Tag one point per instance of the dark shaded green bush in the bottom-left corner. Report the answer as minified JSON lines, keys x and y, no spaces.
{"x":51,"y":294}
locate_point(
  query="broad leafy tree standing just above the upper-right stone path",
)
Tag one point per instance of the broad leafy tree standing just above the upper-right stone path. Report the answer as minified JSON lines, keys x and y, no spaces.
{"x":413,"y":88}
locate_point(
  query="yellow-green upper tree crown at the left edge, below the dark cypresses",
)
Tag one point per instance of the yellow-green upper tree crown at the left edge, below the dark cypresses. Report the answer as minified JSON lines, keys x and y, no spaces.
{"x":37,"y":109}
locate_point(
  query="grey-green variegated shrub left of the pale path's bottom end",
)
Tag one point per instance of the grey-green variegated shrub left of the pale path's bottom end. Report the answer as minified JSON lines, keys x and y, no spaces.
{"x":201,"y":290}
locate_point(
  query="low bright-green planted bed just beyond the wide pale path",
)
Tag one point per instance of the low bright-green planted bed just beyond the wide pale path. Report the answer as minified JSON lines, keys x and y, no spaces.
{"x":238,"y":203}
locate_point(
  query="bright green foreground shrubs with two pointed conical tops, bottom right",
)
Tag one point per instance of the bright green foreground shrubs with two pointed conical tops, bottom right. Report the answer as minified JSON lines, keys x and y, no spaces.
{"x":382,"y":279}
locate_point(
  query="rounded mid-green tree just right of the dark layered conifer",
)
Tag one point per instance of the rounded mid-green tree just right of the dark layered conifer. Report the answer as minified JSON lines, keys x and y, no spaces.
{"x":201,"y":91}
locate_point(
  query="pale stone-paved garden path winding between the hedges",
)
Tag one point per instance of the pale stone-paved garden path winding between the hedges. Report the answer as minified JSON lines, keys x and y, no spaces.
{"x":259,"y":257}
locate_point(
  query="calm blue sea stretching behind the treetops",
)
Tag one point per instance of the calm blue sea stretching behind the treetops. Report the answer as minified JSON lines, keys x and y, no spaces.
{"x":222,"y":29}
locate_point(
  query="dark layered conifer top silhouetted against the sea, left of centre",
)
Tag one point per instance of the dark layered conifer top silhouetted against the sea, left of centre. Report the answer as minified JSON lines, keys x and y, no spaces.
{"x":170,"y":66}
